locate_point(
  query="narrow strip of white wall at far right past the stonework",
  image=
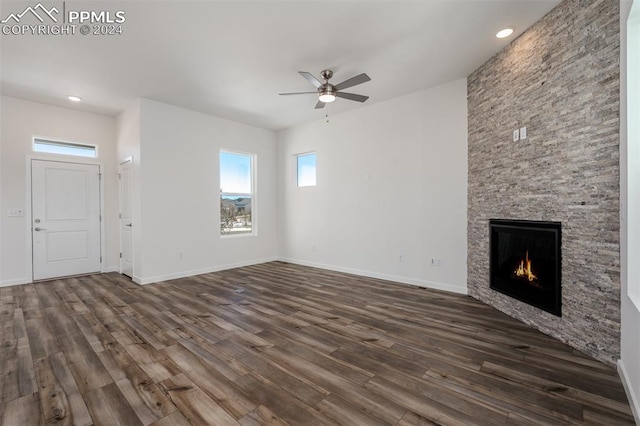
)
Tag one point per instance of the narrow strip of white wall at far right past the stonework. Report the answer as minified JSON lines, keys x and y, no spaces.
{"x":629,"y":364}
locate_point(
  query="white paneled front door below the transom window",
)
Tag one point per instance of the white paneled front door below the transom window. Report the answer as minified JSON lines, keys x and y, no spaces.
{"x":65,"y":206}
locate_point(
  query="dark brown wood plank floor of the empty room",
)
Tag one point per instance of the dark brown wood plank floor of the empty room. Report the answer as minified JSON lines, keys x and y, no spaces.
{"x":284,"y":344}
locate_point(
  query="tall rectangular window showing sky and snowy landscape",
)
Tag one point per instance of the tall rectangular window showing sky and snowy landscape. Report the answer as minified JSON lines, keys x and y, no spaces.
{"x":236,"y":193}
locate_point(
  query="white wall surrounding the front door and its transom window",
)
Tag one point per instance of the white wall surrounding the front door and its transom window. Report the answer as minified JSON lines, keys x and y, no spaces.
{"x":20,"y":121}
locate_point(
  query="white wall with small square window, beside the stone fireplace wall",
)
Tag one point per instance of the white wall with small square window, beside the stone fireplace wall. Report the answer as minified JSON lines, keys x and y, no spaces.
{"x":391,"y":182}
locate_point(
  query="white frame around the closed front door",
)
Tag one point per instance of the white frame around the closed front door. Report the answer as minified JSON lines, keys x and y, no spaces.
{"x":28,"y":207}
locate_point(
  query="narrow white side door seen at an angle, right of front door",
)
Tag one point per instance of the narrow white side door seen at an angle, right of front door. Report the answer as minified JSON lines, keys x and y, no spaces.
{"x":126,"y":223}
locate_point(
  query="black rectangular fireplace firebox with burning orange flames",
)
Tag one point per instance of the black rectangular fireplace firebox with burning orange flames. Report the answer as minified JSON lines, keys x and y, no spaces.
{"x":525,"y":262}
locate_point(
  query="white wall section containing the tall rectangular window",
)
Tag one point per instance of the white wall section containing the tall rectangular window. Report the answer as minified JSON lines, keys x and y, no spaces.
{"x":179,"y":193}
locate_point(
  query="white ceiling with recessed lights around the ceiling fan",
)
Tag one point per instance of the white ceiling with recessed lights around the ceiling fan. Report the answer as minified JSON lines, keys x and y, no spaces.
{"x":232,"y":58}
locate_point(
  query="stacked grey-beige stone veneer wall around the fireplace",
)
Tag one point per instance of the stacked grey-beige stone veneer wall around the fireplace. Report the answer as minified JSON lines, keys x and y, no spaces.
{"x":560,"y":79}
